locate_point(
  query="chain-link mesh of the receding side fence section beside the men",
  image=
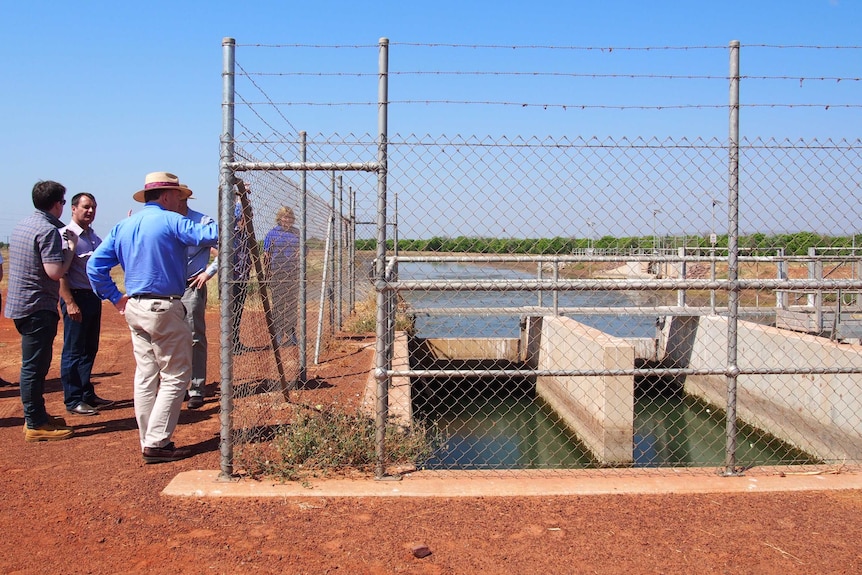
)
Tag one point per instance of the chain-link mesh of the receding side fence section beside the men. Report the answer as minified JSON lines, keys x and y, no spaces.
{"x":272,"y":341}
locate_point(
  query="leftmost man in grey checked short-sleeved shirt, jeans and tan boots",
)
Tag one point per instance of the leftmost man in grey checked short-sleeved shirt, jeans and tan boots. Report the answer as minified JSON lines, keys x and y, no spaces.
{"x":38,"y":257}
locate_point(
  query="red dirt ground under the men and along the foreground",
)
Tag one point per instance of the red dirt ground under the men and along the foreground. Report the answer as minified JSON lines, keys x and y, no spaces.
{"x":90,"y":505}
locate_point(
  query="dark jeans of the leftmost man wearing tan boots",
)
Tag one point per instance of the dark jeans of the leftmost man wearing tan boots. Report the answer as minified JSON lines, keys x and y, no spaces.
{"x":37,"y":339}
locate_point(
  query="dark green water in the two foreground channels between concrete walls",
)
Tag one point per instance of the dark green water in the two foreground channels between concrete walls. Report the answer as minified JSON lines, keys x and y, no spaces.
{"x":482,"y":430}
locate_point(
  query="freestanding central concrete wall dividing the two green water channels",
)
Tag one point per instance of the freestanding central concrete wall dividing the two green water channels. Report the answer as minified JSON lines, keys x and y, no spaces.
{"x":598,"y":409}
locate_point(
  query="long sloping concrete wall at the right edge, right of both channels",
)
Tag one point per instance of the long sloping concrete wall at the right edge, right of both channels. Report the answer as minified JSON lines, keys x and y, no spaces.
{"x":820,"y":414}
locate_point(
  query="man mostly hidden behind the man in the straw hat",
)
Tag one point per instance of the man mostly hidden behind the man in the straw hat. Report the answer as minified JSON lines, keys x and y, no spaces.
{"x":198,"y":272}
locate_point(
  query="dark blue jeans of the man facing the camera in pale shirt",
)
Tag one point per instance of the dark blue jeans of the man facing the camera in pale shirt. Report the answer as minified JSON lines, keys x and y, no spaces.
{"x":80,"y":346}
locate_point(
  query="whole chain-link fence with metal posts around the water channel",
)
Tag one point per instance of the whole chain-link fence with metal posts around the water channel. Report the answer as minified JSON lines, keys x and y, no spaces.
{"x":556,"y":302}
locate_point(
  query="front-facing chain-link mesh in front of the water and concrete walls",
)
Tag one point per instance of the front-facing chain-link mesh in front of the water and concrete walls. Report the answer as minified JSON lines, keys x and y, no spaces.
{"x":631,"y":349}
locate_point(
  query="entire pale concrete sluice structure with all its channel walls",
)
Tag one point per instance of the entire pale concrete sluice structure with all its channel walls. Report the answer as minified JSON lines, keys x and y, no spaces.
{"x":816,"y":414}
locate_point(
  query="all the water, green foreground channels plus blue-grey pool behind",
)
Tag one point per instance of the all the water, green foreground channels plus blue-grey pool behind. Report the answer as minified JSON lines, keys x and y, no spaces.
{"x":494,"y":424}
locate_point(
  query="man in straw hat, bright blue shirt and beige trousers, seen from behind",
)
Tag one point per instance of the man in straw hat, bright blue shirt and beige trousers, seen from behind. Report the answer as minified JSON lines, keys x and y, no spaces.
{"x":151,"y":247}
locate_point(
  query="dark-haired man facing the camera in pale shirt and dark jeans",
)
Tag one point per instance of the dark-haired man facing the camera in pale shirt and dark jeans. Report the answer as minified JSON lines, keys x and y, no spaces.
{"x":82,"y":315}
